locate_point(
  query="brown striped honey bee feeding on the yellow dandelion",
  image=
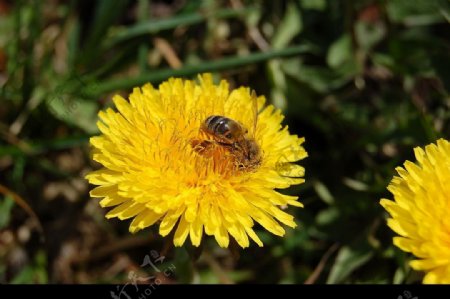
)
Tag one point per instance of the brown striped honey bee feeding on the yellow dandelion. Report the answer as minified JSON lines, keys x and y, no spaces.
{"x":234,"y":136}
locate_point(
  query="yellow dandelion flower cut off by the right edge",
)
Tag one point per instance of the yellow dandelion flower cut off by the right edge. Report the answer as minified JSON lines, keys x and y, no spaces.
{"x":420,"y":212}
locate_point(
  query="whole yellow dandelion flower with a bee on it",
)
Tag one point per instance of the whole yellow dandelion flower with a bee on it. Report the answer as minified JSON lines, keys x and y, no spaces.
{"x":160,"y":166}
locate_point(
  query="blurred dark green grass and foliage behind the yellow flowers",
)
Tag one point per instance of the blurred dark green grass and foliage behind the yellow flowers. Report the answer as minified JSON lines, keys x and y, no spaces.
{"x":364,"y":81}
